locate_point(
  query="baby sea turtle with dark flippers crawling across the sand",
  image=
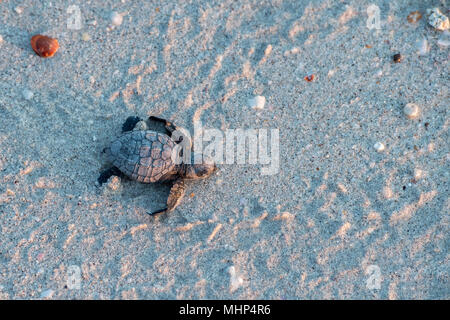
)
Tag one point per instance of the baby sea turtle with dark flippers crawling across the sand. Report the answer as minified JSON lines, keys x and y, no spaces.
{"x":146,"y":156}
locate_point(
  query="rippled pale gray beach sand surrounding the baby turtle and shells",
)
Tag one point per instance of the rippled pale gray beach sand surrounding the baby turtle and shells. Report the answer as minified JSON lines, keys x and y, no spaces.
{"x":337,"y":215}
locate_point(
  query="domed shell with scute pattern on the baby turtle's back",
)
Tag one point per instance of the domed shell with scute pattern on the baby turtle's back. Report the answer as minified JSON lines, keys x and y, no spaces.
{"x":144,"y":156}
